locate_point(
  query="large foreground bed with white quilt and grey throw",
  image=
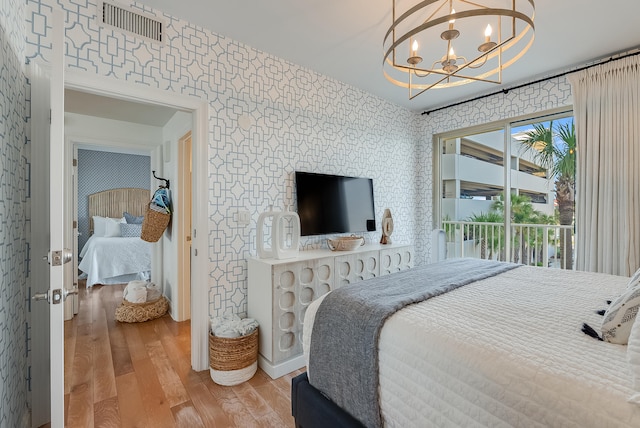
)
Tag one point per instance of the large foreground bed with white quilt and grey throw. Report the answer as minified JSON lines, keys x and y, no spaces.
{"x":501,"y":350}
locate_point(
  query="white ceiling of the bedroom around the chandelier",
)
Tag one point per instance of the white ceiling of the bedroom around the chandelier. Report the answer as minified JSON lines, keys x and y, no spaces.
{"x":343,"y":38}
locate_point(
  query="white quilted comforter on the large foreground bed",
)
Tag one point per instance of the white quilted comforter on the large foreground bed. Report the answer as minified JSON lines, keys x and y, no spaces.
{"x":505,"y":351}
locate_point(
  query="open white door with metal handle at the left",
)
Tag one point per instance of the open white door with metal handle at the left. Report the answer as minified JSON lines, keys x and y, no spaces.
{"x":47,"y":222}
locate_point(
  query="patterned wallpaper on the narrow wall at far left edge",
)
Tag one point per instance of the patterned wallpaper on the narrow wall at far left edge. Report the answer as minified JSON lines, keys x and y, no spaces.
{"x":14,"y":252}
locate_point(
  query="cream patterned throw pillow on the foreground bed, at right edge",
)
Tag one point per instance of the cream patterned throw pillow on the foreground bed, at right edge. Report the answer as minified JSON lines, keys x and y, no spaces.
{"x":619,"y":317}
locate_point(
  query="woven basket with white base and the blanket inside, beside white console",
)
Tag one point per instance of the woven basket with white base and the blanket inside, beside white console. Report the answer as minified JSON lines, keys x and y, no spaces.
{"x":233,"y":349}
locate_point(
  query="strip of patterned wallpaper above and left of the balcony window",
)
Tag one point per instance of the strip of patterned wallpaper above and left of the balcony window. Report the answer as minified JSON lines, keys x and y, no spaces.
{"x":534,"y":98}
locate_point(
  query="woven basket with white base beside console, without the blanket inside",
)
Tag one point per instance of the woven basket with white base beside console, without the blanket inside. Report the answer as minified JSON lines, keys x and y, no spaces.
{"x":233,"y":360}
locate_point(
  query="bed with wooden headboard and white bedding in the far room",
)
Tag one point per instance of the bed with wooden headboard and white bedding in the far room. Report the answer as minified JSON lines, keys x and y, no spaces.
{"x":114,"y":252}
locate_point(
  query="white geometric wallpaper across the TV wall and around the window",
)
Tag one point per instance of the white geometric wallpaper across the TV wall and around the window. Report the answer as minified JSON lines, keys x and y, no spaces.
{"x":299,"y":120}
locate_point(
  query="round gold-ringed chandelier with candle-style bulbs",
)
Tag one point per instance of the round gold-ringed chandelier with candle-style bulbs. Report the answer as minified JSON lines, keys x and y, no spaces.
{"x":443,"y":43}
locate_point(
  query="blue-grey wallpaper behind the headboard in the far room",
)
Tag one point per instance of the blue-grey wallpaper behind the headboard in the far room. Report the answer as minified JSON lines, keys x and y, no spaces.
{"x":98,"y":171}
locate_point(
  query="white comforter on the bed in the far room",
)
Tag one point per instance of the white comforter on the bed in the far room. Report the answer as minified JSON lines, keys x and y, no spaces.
{"x":115,"y":260}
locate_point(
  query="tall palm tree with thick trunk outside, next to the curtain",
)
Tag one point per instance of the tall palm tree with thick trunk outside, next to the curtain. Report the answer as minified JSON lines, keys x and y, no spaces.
{"x":554,"y":148}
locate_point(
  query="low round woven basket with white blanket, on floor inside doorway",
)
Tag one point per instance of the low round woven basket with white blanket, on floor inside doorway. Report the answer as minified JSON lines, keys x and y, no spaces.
{"x":142,"y":301}
